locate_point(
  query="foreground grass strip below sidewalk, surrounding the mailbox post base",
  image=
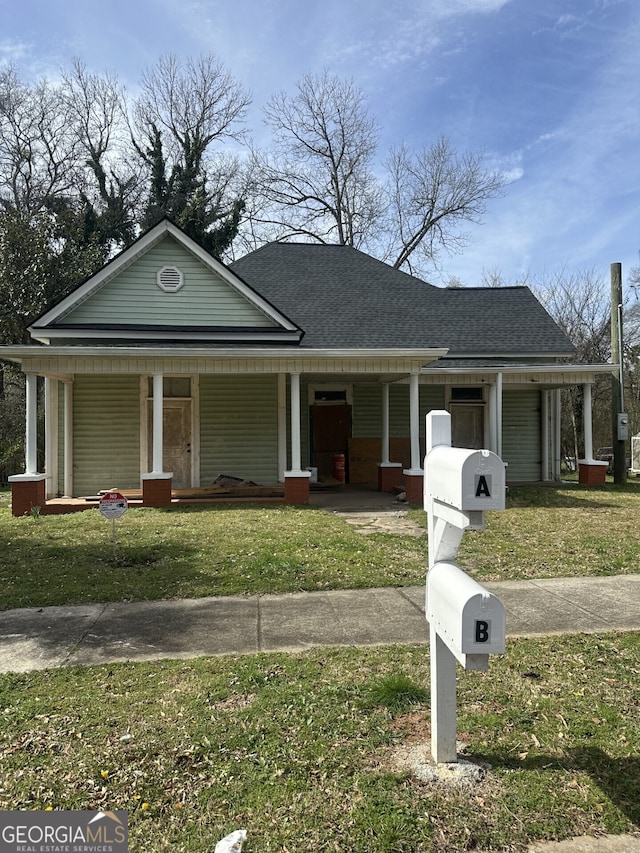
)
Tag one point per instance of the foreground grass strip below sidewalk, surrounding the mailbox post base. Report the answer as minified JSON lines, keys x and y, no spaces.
{"x":300,"y":749}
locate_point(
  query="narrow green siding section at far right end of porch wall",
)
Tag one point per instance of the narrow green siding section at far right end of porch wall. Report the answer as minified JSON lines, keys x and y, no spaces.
{"x":521,"y":443}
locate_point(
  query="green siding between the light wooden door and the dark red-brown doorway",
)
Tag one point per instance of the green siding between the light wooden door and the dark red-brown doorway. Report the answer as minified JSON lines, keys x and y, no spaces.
{"x":239,"y":428}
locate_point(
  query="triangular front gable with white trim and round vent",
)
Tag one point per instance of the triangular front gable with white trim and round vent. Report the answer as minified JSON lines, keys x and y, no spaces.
{"x":165,"y":288}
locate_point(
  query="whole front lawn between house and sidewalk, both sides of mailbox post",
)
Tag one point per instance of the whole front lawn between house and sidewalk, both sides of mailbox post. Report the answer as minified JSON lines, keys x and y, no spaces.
{"x":546,"y":531}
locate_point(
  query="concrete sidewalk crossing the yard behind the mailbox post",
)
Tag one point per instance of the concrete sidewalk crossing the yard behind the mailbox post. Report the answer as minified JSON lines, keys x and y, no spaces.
{"x":33,"y":639}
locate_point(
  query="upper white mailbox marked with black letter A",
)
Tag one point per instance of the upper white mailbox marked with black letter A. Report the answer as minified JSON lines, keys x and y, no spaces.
{"x":465,"y":479}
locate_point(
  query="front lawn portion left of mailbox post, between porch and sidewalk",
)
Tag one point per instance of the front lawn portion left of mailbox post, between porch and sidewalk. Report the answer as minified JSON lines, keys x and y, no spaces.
{"x":194,"y":552}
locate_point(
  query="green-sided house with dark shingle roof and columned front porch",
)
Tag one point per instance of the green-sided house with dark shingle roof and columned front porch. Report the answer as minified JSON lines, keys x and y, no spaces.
{"x":168,"y":368}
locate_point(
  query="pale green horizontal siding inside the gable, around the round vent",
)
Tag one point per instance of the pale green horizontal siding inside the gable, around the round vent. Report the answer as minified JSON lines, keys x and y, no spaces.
{"x":133,"y":297}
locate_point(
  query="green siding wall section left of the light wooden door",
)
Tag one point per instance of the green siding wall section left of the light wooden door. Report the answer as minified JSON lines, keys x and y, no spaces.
{"x":106,"y":418}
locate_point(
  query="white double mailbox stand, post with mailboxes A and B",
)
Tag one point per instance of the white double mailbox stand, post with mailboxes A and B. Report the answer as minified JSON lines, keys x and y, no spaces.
{"x":466,"y":622}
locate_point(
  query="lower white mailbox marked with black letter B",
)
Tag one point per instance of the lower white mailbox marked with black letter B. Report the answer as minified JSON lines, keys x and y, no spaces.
{"x":469,"y":619}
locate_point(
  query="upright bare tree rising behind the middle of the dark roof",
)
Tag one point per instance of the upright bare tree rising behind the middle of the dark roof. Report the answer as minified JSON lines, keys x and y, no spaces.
{"x":317,"y":182}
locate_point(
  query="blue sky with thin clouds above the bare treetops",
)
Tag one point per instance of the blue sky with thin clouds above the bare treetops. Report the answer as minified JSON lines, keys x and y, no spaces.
{"x":549,"y":90}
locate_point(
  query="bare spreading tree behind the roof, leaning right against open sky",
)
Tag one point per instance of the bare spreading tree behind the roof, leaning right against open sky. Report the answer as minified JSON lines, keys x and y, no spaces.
{"x":432,"y":194}
